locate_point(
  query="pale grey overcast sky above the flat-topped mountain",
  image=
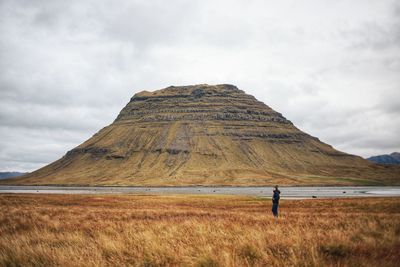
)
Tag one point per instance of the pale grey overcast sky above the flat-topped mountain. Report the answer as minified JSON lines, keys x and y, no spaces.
{"x":68,"y":67}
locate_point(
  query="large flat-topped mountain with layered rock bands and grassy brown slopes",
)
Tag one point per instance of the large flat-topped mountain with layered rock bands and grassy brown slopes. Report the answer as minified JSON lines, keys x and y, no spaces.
{"x":209,"y":135}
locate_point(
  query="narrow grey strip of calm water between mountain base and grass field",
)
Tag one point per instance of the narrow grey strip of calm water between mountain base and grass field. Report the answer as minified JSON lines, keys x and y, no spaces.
{"x":286,"y":192}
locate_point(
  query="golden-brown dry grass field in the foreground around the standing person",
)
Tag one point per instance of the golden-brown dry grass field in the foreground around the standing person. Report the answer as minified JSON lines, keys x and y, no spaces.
{"x":78,"y":230}
